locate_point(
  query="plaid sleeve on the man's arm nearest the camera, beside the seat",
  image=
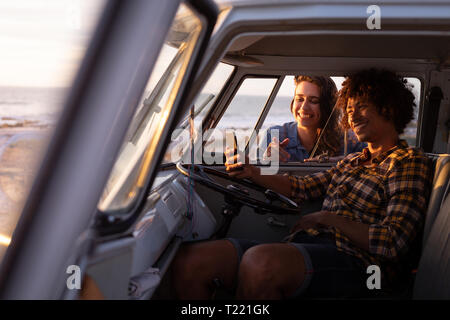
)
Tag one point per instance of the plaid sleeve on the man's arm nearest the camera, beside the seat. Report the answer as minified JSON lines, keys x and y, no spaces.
{"x":407,"y":190}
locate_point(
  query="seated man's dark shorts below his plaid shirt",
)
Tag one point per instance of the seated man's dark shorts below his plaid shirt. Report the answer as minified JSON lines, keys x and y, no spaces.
{"x":330,"y":273}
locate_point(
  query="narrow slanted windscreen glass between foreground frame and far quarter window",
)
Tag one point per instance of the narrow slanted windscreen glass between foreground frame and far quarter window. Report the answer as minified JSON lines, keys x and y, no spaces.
{"x":208,"y":96}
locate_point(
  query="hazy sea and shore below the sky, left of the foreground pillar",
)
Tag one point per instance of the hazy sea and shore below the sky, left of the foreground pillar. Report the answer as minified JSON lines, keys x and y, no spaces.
{"x":27,"y":117}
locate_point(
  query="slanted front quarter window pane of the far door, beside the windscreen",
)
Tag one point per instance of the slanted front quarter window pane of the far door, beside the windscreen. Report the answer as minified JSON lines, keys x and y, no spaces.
{"x":240,"y":117}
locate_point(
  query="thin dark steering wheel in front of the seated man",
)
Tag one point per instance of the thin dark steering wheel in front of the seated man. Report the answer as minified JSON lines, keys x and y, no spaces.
{"x":235,"y":193}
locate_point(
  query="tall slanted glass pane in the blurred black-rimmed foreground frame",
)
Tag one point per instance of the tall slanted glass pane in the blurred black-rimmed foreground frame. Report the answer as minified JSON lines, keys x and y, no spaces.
{"x":131,"y":168}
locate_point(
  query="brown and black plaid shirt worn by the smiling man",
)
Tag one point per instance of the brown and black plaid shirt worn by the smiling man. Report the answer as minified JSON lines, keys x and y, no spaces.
{"x":390,"y":195}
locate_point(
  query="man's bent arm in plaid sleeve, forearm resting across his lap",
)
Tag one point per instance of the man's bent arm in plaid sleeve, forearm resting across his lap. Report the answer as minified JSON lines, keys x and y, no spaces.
{"x":407,"y":190}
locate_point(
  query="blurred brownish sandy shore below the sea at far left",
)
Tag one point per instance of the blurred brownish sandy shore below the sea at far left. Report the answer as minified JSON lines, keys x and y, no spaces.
{"x":21,"y":149}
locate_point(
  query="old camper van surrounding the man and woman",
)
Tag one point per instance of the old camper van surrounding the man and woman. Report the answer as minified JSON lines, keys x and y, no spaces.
{"x":135,"y":165}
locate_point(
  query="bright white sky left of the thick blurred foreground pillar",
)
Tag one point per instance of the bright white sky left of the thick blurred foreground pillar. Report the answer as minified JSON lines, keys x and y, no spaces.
{"x":43,"y":41}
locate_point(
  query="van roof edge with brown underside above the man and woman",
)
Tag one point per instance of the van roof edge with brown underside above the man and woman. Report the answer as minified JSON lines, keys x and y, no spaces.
{"x":416,"y":32}
